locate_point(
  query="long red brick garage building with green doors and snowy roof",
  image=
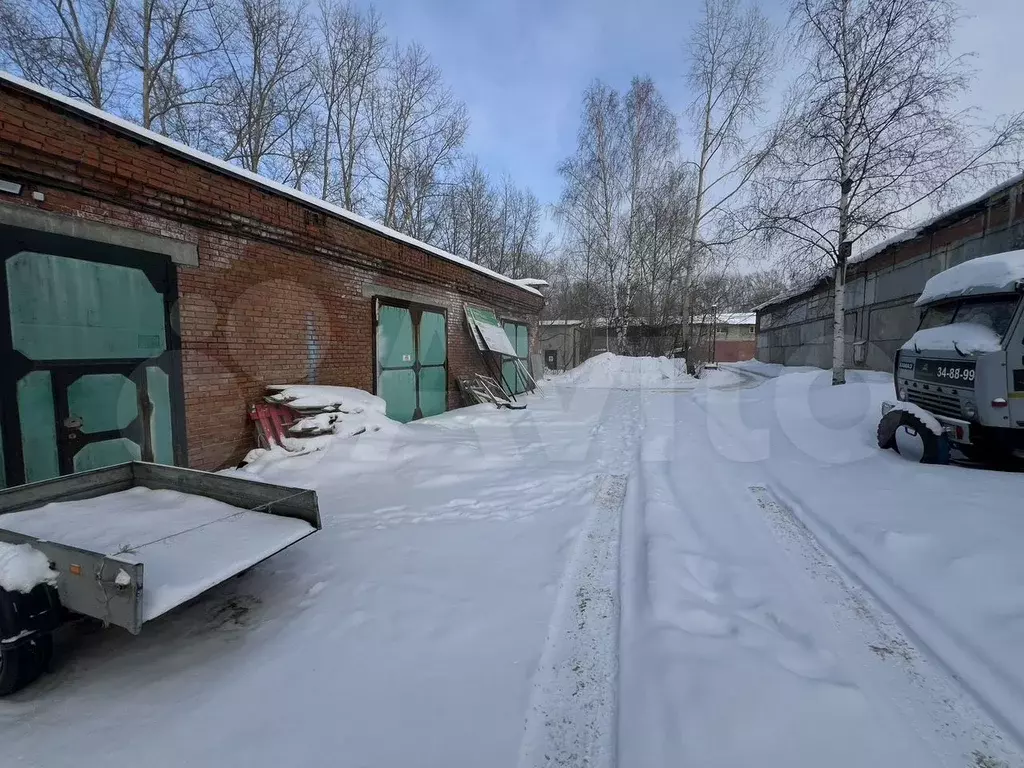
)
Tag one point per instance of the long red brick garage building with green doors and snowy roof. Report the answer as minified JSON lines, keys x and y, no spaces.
{"x":161,"y":290}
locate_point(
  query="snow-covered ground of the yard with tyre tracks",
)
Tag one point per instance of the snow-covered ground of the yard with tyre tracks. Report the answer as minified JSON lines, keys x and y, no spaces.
{"x":639,"y":570}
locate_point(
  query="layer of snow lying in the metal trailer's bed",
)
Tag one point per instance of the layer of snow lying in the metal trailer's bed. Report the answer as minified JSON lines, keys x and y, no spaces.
{"x":186,"y":543}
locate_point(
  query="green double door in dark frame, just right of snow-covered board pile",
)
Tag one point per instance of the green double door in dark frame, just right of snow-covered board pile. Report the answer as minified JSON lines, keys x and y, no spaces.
{"x":412,"y":360}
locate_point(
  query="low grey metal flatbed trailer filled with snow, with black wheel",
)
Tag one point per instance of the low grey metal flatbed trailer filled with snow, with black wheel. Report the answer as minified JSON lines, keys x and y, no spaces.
{"x":174,"y":559}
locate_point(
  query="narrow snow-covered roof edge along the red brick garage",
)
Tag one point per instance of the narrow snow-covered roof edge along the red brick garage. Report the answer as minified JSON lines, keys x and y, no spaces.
{"x":233,"y":170}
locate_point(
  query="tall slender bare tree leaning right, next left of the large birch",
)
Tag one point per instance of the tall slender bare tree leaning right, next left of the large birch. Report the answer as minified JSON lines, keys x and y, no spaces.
{"x":732,"y":63}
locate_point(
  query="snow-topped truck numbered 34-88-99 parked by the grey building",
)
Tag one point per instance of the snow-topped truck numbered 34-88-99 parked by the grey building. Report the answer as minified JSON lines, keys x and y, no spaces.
{"x":960,"y":379}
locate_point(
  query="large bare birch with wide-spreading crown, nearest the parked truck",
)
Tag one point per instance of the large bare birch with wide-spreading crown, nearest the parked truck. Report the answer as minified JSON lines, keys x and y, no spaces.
{"x":872,"y":132}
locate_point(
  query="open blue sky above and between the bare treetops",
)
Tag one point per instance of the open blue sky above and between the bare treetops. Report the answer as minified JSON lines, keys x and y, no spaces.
{"x":522,"y":66}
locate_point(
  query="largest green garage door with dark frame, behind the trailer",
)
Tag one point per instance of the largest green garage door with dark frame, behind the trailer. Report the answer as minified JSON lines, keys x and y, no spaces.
{"x":89,"y":373}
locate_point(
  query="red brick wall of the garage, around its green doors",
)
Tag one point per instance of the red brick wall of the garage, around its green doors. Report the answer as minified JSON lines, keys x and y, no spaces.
{"x":271,"y":268}
